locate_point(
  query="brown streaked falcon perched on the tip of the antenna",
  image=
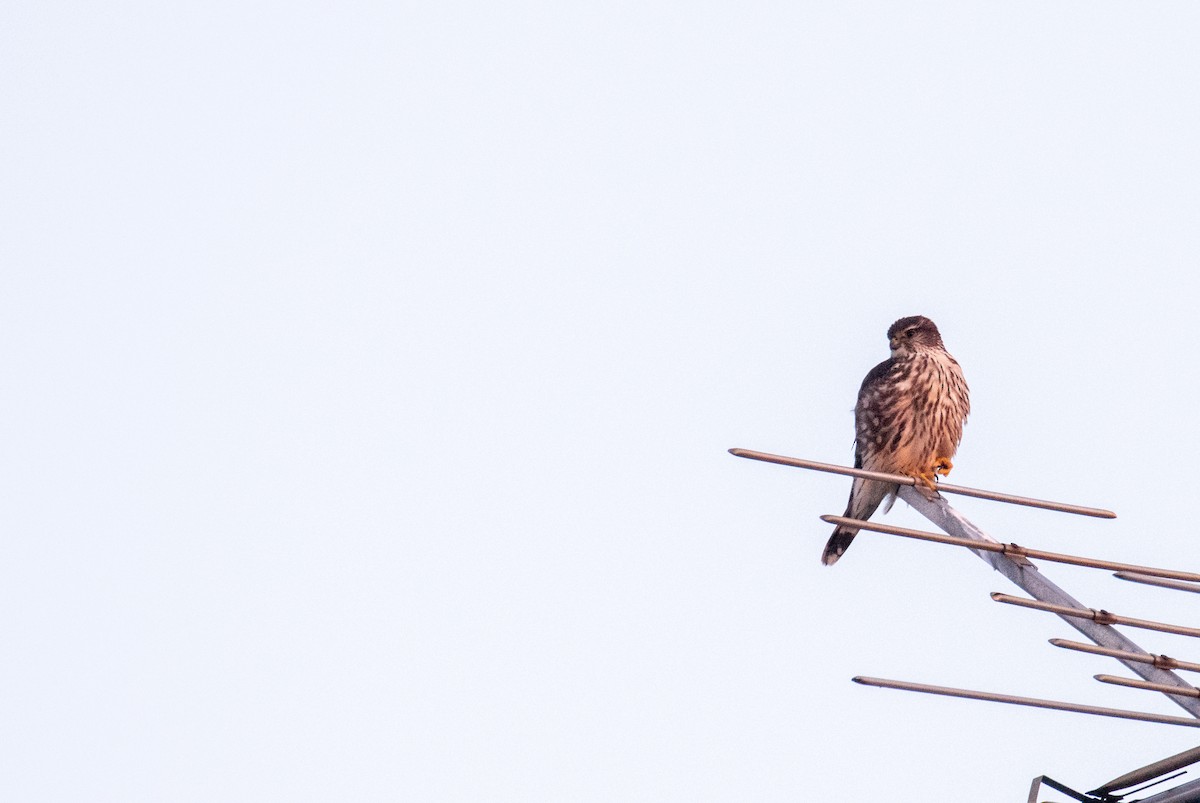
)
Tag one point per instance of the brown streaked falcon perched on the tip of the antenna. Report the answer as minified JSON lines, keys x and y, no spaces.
{"x":909,"y":421}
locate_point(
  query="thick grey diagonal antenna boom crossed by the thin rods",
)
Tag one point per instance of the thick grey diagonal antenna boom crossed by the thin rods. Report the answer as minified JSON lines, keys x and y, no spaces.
{"x":1027,"y":577}
